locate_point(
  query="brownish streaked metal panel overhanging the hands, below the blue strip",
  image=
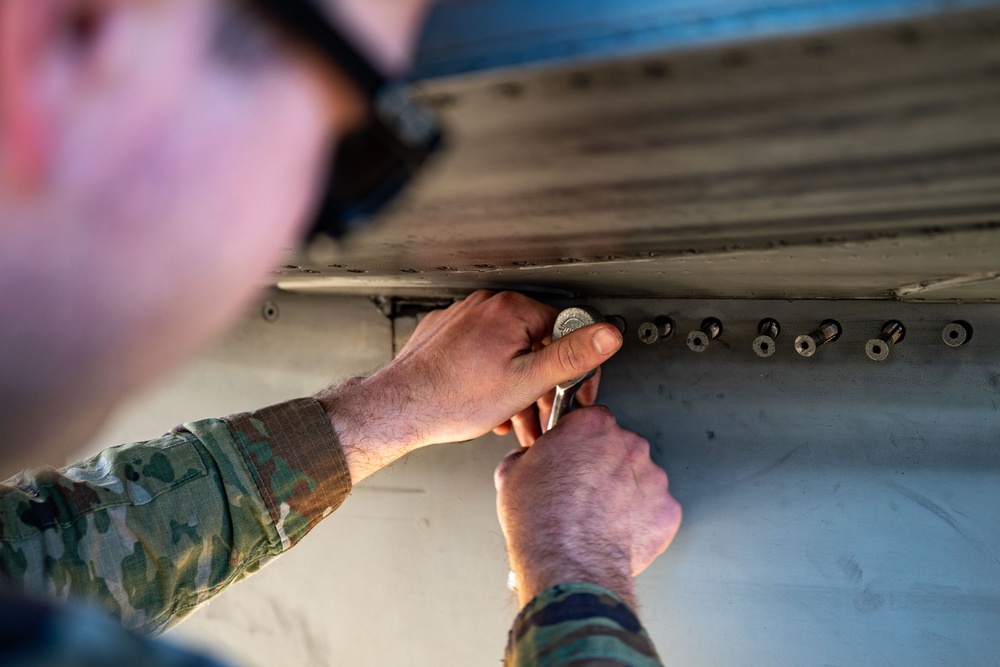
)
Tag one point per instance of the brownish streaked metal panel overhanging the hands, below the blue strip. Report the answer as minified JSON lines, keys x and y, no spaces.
{"x":855,"y":164}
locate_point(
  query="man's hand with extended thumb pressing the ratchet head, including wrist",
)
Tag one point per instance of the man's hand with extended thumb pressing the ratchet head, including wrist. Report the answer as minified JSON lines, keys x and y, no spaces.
{"x":466,"y":370}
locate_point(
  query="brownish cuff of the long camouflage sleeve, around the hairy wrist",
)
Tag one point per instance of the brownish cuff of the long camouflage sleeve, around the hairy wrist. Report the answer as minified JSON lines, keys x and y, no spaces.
{"x":296,"y":461}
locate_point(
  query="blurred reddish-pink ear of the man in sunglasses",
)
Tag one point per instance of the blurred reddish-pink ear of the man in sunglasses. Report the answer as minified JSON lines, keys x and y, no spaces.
{"x":32,"y":33}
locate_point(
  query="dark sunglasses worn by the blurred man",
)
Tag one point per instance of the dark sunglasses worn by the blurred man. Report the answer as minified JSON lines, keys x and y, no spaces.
{"x":372,"y":165}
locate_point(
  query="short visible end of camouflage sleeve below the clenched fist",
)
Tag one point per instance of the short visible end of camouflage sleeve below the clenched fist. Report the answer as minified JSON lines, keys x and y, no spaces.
{"x":579,"y":625}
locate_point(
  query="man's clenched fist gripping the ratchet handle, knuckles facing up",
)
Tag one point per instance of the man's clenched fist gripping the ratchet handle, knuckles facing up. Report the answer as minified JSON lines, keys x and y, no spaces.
{"x":584,"y":503}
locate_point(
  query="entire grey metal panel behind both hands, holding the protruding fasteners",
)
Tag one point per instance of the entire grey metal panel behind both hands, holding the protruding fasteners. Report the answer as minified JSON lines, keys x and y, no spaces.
{"x":838,"y":511}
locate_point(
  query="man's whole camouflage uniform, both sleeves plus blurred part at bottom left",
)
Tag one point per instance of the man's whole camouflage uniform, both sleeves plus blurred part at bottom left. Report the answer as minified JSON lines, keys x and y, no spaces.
{"x":151,"y":530}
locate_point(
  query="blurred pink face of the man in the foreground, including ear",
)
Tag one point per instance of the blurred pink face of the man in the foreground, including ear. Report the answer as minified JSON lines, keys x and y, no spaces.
{"x":157,"y":158}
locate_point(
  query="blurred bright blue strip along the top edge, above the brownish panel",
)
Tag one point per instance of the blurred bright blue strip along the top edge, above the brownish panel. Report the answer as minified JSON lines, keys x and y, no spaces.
{"x":470,"y":36}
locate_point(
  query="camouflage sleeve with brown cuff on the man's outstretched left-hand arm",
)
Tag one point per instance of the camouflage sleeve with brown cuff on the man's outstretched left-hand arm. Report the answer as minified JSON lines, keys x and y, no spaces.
{"x":151,"y":530}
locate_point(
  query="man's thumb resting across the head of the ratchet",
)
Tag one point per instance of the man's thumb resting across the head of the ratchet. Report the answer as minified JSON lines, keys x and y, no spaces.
{"x":573,"y":355}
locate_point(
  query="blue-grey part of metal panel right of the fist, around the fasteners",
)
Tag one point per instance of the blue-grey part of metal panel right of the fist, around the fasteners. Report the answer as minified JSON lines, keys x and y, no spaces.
{"x":838,"y":511}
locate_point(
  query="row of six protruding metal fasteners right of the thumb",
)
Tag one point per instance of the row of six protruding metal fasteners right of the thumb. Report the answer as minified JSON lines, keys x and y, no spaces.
{"x":955,"y":334}
